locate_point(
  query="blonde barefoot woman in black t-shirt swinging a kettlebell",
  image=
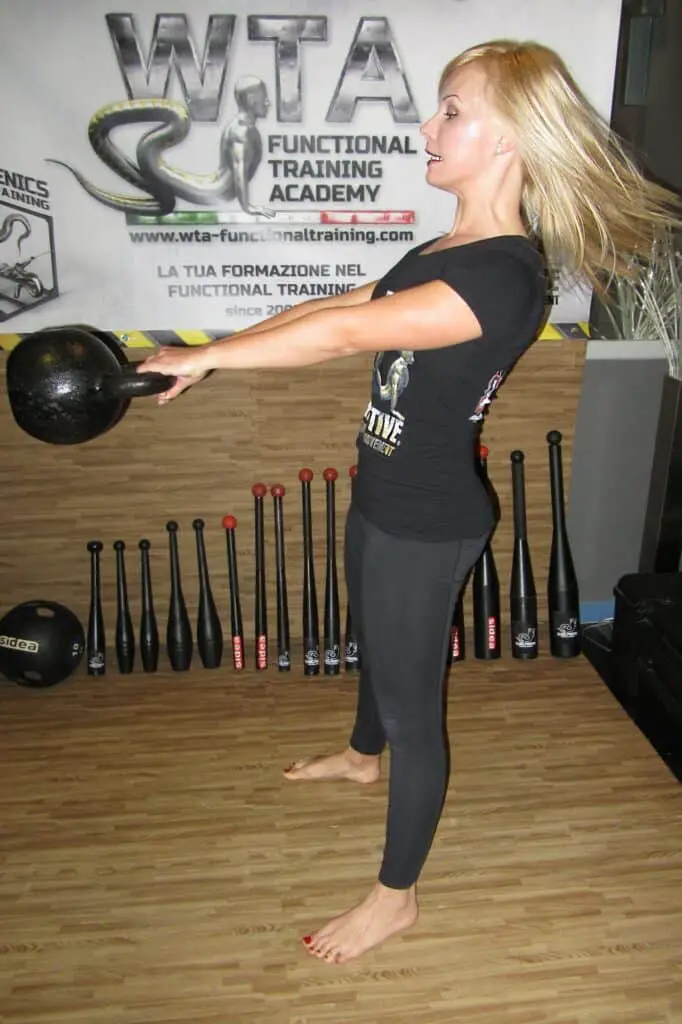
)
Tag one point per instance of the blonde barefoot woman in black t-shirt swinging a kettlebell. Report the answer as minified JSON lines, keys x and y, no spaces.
{"x":533,"y":168}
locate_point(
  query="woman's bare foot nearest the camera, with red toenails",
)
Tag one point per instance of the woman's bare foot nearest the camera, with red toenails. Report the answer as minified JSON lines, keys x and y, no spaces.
{"x":382,"y":914}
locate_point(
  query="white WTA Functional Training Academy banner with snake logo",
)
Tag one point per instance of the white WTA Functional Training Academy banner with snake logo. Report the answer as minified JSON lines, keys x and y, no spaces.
{"x":202,"y":170}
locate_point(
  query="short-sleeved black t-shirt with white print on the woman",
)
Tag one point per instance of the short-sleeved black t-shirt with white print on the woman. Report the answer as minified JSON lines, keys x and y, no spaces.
{"x":417,"y":473}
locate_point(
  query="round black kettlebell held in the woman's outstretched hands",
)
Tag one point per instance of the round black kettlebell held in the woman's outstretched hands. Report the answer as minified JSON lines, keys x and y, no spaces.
{"x":68,"y":386}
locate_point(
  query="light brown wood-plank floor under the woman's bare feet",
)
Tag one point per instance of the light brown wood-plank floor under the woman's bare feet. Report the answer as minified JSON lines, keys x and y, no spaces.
{"x":156,"y":867}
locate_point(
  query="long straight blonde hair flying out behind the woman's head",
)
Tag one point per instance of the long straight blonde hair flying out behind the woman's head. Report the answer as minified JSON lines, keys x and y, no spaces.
{"x":583,"y":197}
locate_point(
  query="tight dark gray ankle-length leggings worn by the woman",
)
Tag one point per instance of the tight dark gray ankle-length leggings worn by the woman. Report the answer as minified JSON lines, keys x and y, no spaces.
{"x":403,"y":595}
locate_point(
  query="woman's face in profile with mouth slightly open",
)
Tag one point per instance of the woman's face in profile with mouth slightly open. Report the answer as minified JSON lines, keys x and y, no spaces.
{"x":462,"y":137}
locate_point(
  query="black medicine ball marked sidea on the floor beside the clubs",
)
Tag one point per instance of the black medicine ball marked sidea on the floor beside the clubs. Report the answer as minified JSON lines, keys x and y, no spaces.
{"x":41,"y":644}
